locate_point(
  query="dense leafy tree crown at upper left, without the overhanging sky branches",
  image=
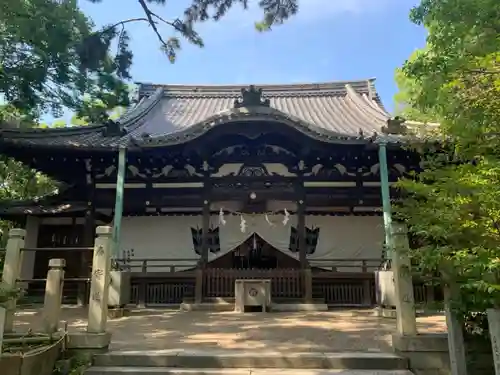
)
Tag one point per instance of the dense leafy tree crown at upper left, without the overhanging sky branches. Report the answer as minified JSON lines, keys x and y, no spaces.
{"x":45,"y":63}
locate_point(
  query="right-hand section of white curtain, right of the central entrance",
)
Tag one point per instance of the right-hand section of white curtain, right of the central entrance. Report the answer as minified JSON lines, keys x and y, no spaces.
{"x":347,"y":237}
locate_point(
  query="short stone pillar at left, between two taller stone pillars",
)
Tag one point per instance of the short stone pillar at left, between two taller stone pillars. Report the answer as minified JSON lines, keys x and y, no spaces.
{"x":53,"y":295}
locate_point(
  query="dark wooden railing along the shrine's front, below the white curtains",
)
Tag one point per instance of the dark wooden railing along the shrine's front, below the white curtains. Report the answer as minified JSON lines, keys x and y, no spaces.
{"x":161,"y":281}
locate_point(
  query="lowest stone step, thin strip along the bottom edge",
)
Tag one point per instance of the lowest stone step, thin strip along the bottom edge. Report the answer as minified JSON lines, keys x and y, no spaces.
{"x":235,"y":371}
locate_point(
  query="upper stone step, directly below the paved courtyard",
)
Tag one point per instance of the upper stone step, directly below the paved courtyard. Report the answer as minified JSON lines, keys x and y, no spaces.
{"x":252,"y":359}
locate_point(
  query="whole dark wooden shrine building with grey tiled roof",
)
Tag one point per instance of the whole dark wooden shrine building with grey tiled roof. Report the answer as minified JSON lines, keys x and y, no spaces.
{"x":207,"y":184}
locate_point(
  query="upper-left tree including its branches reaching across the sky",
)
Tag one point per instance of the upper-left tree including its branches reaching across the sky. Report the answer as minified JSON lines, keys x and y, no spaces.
{"x":52,"y":57}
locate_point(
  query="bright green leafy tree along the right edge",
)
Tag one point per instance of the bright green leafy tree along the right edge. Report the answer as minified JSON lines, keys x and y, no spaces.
{"x":453,"y":206}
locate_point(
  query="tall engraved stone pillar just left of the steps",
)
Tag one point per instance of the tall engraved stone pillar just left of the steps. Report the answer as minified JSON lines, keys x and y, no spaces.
{"x":100,"y":278}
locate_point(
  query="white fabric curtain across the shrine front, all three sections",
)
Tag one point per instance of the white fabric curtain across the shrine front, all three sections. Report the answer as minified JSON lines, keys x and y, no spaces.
{"x":169,"y":237}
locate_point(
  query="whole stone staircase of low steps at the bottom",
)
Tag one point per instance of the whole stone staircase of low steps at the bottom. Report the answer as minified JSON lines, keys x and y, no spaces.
{"x":248,"y":362}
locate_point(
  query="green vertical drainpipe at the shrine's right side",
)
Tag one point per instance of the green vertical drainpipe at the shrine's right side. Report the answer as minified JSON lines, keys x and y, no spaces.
{"x":386,"y":199}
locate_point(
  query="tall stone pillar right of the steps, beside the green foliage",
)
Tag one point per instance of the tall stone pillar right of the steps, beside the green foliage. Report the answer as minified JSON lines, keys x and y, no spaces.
{"x":403,"y":284}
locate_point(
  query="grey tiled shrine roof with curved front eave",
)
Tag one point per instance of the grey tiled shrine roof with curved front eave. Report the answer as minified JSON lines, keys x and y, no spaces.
{"x":169,"y":114}
